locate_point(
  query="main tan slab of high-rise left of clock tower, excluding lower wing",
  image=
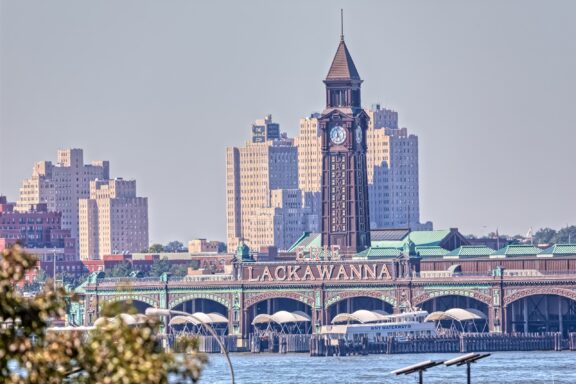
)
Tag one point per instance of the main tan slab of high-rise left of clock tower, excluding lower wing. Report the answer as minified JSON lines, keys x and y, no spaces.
{"x":252,"y":172}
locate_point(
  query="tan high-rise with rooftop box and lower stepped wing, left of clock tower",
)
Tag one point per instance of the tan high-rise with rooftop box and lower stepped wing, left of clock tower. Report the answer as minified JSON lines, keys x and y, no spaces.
{"x":263,"y":203}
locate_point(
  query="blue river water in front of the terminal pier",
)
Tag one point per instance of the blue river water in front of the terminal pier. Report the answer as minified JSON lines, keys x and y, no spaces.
{"x":501,"y":367}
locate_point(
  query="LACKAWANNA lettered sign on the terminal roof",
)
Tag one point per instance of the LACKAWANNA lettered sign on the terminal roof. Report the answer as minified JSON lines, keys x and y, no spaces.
{"x":317,"y":272}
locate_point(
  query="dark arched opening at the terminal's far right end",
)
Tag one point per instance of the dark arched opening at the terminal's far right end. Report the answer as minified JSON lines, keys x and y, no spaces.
{"x":542,"y":313}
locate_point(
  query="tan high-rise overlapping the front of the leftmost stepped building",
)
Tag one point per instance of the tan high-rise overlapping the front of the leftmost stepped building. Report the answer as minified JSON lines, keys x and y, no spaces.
{"x":113,"y":219}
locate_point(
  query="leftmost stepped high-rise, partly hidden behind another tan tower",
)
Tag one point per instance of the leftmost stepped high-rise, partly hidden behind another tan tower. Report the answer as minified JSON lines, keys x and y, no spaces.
{"x":60,"y":185}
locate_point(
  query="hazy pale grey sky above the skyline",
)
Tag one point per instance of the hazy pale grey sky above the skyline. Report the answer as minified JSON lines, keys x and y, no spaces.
{"x":160,"y":88}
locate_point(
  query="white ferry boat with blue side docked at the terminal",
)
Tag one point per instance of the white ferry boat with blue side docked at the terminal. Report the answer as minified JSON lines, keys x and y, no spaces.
{"x":376,"y":326}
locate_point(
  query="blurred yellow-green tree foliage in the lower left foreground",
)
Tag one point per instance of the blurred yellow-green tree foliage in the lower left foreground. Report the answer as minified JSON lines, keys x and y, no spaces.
{"x":113,"y":352}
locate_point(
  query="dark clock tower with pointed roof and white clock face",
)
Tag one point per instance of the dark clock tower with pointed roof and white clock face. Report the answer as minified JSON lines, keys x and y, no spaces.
{"x":343,"y":124}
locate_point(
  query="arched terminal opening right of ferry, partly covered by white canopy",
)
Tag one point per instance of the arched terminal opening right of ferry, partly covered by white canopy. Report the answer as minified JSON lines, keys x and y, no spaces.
{"x":450,"y":302}
